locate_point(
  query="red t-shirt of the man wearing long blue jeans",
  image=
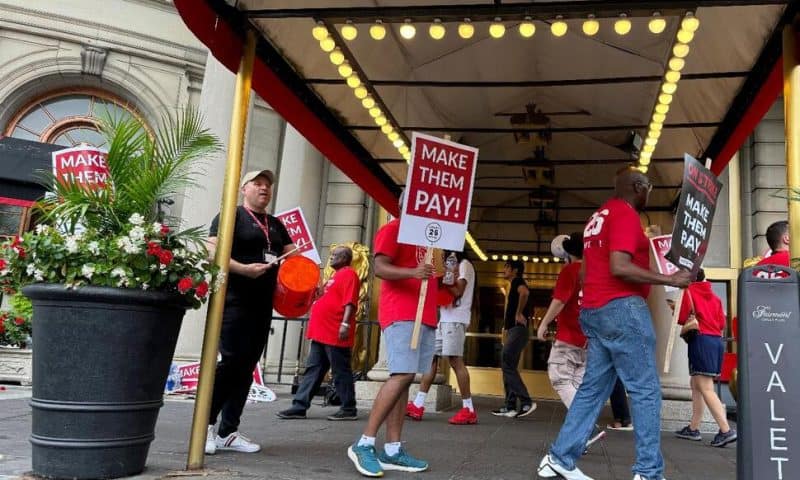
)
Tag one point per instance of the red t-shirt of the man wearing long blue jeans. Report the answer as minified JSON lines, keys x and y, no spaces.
{"x":615,"y":227}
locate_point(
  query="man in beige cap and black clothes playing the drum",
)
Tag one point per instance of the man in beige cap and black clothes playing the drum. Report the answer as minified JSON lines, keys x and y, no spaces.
{"x":258,"y":240}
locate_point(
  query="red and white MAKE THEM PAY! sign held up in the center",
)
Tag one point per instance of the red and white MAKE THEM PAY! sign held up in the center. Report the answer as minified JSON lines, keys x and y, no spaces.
{"x":438,"y":193}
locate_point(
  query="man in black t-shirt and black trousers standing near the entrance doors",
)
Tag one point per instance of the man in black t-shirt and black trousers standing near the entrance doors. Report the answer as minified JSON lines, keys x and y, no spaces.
{"x":516,"y":328}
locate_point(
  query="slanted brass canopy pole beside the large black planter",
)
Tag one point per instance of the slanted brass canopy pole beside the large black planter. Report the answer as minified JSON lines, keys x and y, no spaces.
{"x":208,"y":359}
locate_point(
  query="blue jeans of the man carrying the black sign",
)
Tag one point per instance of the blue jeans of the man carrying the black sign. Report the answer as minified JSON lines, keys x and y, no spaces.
{"x":621,"y":343}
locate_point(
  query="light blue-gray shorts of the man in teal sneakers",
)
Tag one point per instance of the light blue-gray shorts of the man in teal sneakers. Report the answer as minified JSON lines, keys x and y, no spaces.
{"x":401,"y":359}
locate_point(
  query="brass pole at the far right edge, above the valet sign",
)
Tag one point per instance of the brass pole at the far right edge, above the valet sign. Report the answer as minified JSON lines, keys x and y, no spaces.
{"x":791,"y":110}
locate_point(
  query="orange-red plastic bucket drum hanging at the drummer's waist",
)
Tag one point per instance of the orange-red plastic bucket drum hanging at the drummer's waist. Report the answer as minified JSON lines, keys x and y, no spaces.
{"x":297,"y":281}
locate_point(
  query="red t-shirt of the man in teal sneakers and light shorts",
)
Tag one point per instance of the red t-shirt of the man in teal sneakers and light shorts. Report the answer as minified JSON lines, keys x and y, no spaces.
{"x":399,"y":298}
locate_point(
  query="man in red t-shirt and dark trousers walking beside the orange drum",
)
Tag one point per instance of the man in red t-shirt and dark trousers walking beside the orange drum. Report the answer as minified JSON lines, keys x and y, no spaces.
{"x":331,"y":329}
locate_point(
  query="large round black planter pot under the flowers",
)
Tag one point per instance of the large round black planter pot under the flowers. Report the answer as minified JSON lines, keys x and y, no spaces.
{"x":99,"y":367}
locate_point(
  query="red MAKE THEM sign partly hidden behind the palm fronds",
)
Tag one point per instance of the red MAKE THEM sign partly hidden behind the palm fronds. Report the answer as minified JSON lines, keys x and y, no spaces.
{"x":84,"y":165}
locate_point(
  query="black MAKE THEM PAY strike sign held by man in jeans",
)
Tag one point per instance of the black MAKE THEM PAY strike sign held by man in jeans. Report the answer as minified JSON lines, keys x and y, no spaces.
{"x":695,"y":214}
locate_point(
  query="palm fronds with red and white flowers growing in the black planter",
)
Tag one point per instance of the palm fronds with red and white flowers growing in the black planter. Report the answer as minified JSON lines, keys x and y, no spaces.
{"x":116,"y":235}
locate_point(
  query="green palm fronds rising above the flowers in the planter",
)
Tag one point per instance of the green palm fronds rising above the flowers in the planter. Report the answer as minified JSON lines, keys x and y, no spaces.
{"x":144,"y":168}
